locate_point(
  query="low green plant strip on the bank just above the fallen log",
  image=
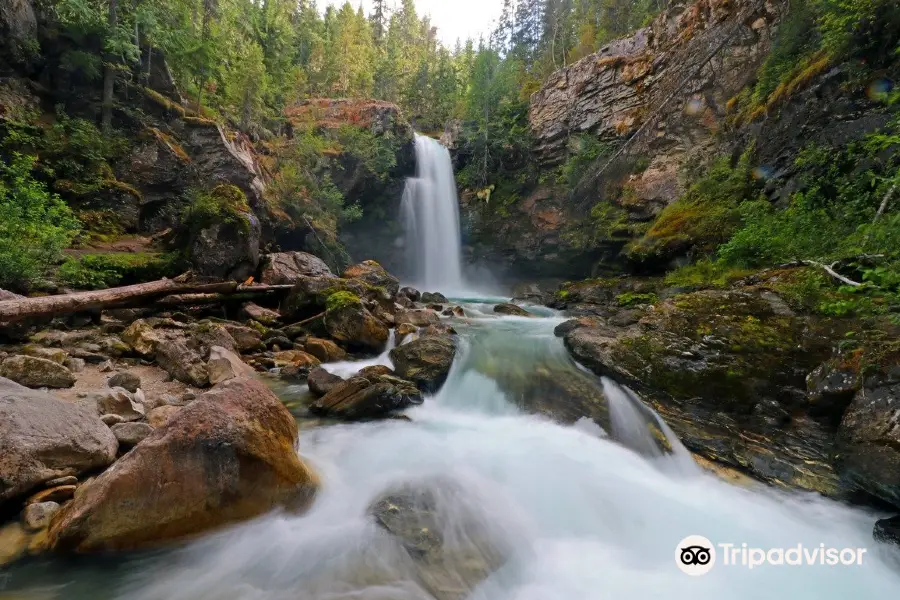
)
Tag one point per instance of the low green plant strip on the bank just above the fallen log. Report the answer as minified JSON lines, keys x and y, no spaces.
{"x":98,"y":271}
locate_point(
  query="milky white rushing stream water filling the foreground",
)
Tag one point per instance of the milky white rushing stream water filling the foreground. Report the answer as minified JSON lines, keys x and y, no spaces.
{"x":585,"y":518}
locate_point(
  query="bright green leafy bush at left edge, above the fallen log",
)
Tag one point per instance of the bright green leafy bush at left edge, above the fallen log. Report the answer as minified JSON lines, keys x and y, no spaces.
{"x":35,"y":225}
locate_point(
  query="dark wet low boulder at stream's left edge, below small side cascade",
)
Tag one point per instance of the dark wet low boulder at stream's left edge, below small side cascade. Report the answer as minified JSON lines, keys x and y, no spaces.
{"x":364,"y":398}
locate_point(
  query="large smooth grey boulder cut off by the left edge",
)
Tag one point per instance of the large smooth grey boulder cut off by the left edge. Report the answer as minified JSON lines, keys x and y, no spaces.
{"x":42,"y":438}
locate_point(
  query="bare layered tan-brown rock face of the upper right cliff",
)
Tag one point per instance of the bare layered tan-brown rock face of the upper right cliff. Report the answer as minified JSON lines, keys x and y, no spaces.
{"x":611,"y":93}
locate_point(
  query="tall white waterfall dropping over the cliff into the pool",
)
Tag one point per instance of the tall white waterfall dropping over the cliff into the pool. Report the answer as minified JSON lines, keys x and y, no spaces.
{"x":431,"y":216}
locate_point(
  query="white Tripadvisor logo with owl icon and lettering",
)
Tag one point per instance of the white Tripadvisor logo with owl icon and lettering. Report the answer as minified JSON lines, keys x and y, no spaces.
{"x":696,"y":555}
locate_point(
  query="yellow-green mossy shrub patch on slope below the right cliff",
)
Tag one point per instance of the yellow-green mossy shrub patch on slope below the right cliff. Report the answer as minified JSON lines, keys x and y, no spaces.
{"x":702,"y":218}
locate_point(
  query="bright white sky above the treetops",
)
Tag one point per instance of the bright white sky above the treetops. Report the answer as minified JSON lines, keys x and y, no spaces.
{"x":455,"y":19}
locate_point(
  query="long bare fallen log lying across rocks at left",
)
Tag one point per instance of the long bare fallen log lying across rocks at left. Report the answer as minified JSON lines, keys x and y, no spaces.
{"x":12,"y":311}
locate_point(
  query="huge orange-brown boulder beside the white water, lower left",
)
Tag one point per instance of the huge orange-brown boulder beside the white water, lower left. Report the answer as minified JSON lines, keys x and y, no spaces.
{"x":228,"y":456}
